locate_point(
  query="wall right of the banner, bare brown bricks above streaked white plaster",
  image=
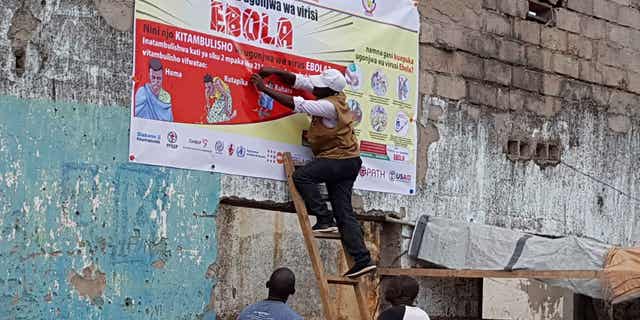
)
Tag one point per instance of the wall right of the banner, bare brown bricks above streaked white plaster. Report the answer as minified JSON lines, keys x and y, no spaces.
{"x":493,"y":79}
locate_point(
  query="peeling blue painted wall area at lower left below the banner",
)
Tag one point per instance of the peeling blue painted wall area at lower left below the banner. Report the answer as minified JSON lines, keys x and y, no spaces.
{"x":71,"y":203}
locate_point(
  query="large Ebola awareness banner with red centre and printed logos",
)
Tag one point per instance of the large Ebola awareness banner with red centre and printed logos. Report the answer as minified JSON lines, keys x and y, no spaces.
{"x":194,"y":107}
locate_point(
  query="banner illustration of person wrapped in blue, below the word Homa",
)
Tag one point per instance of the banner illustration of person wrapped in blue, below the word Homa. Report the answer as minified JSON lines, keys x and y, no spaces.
{"x":151,"y":100}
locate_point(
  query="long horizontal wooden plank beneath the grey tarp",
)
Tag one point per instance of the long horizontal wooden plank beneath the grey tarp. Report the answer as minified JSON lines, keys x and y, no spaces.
{"x":525,"y":274}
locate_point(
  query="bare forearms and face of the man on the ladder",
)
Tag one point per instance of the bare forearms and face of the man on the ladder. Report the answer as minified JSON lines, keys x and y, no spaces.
{"x":289,"y":79}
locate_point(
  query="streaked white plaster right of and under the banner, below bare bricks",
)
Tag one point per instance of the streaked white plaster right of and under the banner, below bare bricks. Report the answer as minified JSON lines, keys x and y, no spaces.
{"x":470,"y":178}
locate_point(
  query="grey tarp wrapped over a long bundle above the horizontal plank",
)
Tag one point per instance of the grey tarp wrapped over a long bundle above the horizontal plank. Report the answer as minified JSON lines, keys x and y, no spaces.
{"x":459,"y":245}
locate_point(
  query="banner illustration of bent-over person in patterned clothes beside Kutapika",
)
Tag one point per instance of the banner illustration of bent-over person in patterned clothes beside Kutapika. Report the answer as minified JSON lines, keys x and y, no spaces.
{"x":218,"y":102}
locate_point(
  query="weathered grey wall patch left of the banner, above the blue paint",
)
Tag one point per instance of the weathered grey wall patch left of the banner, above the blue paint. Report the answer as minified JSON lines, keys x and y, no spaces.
{"x":66,"y":50}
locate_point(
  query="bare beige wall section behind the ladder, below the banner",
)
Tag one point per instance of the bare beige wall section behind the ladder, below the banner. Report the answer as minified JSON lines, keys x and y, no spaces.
{"x":262,"y":241}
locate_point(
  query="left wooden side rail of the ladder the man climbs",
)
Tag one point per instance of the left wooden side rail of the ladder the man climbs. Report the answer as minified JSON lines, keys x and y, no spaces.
{"x":309,"y":240}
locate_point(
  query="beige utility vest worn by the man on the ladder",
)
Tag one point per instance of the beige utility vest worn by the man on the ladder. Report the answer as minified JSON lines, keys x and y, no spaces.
{"x":339,"y":142}
